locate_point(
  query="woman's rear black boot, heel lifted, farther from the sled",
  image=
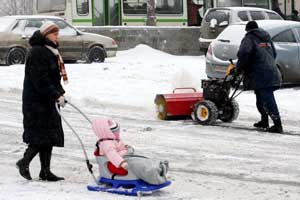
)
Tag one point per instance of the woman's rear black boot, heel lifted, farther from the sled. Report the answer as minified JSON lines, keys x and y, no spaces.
{"x":23,"y":164}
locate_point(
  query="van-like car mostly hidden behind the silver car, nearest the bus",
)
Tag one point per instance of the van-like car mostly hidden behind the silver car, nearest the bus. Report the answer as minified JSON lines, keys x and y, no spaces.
{"x":216,"y":20}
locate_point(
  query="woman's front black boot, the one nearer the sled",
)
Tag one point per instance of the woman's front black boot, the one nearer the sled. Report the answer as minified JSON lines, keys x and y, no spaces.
{"x":46,"y":174}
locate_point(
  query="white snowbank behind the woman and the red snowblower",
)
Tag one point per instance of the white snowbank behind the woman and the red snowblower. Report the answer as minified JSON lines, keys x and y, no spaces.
{"x":132,"y":78}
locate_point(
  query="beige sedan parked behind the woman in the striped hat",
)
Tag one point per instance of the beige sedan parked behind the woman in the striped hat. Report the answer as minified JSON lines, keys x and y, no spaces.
{"x":15,"y":32}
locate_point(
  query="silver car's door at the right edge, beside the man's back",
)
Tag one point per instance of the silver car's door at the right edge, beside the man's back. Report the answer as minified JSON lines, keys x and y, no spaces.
{"x":287,"y":49}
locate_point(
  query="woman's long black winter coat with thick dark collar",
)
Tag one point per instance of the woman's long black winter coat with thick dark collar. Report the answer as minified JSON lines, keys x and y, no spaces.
{"x":42,"y":123}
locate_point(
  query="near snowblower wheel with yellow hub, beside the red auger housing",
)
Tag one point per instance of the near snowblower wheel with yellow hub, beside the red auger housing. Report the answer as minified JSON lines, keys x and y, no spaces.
{"x":206,"y":112}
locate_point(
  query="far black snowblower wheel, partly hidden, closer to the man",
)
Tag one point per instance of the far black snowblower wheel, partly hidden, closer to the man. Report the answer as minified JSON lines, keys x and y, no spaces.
{"x":231,"y":112}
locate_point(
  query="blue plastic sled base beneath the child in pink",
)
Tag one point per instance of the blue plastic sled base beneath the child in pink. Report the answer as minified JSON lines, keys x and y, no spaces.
{"x":126,"y":187}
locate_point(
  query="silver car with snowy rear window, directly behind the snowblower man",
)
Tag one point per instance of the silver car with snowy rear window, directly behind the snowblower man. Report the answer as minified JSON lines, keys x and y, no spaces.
{"x":285,"y":36}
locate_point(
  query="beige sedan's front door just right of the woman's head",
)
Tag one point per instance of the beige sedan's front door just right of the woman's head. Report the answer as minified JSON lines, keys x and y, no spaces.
{"x":70,"y":41}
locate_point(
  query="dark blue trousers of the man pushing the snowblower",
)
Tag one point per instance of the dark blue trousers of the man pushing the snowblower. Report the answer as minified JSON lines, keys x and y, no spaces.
{"x":266,"y":103}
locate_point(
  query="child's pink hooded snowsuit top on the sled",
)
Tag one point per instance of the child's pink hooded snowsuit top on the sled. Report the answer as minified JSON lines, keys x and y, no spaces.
{"x":110,"y":144}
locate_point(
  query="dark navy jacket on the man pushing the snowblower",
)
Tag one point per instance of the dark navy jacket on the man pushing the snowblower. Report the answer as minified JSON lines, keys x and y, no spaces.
{"x":256,"y":58}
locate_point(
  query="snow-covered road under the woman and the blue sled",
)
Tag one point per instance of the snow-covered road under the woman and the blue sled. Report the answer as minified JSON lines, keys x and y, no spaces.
{"x":206,"y":162}
